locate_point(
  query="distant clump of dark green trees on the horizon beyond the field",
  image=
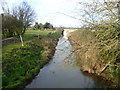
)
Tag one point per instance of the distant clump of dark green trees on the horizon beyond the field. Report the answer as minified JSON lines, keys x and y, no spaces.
{"x":43,"y":26}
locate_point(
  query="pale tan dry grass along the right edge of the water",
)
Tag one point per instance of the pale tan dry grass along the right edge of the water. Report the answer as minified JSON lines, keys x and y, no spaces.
{"x":86,"y":49}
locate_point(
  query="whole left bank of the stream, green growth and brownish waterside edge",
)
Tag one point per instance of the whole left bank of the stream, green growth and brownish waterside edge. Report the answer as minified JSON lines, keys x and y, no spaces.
{"x":21,"y":64}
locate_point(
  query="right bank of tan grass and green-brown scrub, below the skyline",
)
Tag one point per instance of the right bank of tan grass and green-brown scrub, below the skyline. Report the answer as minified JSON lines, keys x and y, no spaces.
{"x":98,"y":52}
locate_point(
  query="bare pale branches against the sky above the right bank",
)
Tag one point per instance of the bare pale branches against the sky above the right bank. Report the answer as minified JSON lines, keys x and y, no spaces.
{"x":99,"y":12}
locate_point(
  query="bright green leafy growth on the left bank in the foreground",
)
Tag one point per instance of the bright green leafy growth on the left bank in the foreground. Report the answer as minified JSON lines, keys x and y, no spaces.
{"x":20,"y":64}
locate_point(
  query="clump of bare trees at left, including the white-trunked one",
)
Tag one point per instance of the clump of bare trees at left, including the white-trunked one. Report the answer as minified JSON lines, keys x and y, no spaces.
{"x":18,"y":19}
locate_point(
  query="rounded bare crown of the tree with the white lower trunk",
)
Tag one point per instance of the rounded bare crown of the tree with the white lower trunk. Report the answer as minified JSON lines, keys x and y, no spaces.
{"x":24,"y":13}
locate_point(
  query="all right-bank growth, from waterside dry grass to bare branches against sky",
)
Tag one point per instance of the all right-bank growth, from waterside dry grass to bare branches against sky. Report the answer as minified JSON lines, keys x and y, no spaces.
{"x":97,"y":42}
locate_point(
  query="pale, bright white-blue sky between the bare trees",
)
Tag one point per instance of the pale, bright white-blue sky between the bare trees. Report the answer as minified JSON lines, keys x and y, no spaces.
{"x":46,"y":11}
